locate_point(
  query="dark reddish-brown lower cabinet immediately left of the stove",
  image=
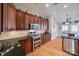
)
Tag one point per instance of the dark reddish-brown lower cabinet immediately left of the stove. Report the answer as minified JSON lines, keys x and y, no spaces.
{"x":27,"y":45}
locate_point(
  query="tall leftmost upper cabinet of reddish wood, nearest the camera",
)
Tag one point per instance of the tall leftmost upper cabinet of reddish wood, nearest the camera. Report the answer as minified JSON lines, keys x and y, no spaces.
{"x":9,"y":17}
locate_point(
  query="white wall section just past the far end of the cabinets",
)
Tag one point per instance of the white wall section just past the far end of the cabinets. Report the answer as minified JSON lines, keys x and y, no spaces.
{"x":53,"y":27}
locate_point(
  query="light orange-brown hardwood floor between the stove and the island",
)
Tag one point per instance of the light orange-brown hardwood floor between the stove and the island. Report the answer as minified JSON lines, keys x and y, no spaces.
{"x":51,"y":48}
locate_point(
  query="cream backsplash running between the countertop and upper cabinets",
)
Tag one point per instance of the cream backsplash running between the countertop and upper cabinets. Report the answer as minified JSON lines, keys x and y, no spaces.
{"x":15,"y":34}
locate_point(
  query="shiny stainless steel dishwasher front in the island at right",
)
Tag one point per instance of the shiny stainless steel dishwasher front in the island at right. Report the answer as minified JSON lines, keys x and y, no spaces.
{"x":70,"y":45}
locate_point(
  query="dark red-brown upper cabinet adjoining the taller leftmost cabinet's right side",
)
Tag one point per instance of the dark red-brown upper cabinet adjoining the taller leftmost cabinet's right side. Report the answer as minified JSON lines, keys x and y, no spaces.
{"x":20,"y":20}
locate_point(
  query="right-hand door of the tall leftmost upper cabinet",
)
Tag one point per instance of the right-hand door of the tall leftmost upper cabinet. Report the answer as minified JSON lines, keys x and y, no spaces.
{"x":11,"y":17}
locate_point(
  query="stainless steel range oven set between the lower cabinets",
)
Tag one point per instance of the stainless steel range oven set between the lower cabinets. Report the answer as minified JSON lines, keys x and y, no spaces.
{"x":36,"y":39}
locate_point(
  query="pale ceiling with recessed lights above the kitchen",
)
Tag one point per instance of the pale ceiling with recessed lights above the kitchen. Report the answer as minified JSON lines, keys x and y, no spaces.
{"x":55,"y":10}
